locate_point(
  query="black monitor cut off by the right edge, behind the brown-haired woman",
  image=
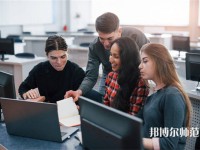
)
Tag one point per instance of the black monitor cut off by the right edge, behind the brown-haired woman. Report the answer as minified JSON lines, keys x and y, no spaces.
{"x":192,"y":67}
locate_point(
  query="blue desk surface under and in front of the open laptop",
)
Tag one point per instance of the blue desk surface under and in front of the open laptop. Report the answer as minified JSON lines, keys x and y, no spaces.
{"x":12,"y":142}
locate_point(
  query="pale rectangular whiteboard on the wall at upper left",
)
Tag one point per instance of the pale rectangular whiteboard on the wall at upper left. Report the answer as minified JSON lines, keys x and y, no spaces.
{"x":18,"y":12}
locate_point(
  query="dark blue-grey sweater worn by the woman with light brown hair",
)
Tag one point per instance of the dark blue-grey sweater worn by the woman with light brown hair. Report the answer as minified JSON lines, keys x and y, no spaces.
{"x":165,"y":109}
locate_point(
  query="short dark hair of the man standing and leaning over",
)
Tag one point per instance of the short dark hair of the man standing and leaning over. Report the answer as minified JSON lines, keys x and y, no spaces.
{"x":107,"y":23}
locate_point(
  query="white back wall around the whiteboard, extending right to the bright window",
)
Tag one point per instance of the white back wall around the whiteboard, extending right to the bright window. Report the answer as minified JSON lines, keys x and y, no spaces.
{"x":76,"y":14}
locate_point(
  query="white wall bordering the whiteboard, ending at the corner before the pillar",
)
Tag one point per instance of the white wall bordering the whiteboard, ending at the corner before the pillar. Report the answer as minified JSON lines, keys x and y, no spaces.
{"x":60,"y":18}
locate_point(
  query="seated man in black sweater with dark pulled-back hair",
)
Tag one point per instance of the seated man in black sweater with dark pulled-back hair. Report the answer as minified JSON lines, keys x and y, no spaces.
{"x":48,"y":81}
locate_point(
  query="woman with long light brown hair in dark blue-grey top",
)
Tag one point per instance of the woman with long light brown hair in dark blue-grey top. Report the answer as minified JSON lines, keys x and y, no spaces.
{"x":166,"y":113}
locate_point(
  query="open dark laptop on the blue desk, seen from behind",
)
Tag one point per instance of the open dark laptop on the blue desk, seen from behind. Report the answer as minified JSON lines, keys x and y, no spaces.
{"x":34,"y":120}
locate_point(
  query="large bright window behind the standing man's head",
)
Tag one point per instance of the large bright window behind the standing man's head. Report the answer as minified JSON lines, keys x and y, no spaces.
{"x":145,"y":12}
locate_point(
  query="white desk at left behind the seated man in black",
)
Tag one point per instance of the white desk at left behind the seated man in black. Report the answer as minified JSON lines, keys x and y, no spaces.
{"x":19,"y":67}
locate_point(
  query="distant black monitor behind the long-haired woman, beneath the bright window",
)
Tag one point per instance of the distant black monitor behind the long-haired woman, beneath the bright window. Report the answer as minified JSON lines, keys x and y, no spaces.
{"x":181,"y":43}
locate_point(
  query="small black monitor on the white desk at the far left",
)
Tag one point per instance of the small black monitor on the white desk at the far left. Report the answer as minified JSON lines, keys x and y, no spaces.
{"x":6,"y":47}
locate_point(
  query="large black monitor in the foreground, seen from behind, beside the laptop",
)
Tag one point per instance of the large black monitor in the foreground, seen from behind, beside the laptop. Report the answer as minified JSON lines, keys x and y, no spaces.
{"x":104,"y":127}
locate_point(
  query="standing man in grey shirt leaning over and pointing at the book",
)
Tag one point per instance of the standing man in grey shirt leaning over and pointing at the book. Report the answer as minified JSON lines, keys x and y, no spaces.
{"x":108,"y":29}
